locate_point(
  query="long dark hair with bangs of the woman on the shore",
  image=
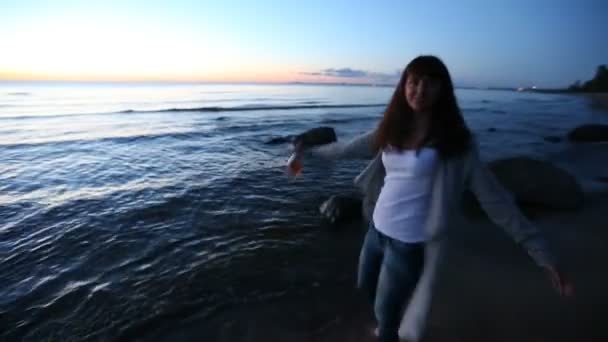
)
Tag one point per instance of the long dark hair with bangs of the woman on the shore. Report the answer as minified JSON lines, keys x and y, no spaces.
{"x":448,"y":131}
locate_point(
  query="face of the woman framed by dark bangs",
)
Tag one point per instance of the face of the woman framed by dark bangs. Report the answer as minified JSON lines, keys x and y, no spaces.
{"x":421,"y":92}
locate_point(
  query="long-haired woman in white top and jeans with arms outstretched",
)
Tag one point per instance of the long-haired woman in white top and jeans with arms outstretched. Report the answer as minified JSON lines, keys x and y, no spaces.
{"x":424,"y":158}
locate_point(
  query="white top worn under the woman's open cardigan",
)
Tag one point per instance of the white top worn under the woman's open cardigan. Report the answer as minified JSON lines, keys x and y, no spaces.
{"x":404,"y":201}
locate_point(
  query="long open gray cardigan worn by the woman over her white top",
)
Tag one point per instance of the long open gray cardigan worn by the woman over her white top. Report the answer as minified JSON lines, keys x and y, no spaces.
{"x":453,"y":177}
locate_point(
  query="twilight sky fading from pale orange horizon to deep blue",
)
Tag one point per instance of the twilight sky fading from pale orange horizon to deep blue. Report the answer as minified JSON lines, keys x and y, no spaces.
{"x":498,"y":43}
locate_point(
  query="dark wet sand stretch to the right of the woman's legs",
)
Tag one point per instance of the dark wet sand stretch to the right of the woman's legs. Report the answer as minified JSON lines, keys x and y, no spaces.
{"x":493,"y":292}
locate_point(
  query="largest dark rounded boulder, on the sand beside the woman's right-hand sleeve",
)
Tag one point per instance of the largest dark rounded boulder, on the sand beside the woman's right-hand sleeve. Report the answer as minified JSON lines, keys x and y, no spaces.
{"x":538,"y":183}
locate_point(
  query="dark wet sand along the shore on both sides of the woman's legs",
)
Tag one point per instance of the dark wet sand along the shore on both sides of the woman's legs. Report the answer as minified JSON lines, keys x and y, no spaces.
{"x":489,"y":290}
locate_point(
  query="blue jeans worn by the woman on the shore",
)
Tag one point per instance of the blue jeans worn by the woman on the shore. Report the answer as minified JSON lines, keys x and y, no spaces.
{"x":388,"y":272}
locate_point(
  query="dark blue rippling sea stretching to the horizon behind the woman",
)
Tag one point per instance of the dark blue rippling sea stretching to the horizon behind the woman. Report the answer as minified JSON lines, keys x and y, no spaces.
{"x":130,"y":207}
